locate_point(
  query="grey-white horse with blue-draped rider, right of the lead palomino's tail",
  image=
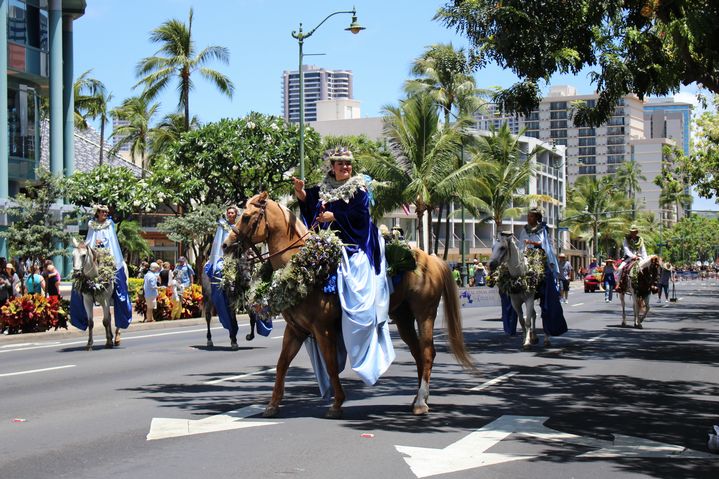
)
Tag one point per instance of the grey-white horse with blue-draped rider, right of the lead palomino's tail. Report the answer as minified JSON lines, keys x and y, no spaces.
{"x":505,"y":252}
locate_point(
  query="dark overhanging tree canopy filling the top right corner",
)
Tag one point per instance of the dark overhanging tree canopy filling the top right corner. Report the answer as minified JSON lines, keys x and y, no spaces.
{"x":647,"y":47}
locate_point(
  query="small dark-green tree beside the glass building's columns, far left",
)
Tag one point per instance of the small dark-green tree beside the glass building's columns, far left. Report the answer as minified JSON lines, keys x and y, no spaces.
{"x":35,"y":231}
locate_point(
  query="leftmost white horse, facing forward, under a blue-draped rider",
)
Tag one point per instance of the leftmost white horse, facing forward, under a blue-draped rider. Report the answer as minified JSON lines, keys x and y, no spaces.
{"x":84,"y":266}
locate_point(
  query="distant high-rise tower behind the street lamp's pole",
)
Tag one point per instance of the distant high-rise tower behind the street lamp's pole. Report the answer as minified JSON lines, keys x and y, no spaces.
{"x":320,"y":84}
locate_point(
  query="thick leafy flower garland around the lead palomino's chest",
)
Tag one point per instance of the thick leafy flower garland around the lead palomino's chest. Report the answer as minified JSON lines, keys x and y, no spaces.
{"x":272,"y":292}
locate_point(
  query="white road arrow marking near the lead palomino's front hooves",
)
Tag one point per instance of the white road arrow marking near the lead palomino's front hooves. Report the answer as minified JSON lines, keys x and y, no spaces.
{"x":162,"y":428}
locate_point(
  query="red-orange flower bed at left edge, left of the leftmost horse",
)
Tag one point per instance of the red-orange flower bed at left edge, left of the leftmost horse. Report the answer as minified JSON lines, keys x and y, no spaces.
{"x":33,"y":313}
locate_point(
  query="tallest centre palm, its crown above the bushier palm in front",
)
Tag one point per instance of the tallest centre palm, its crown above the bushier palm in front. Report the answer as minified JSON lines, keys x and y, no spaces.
{"x":446,"y":75}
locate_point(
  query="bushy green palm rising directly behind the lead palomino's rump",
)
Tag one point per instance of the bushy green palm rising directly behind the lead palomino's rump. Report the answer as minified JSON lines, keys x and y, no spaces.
{"x":423,"y":155}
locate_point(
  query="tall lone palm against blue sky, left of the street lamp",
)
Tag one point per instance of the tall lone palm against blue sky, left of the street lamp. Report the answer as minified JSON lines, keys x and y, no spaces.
{"x":178,"y":58}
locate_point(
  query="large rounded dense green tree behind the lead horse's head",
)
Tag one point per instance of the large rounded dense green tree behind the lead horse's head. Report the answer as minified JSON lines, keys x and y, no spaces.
{"x":231,"y":160}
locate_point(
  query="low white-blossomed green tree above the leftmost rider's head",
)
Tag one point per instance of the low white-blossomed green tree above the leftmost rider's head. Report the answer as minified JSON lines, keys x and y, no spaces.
{"x":114,"y":186}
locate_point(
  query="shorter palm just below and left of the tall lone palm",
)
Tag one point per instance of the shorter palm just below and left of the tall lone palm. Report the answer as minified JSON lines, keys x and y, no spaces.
{"x":138,"y":112}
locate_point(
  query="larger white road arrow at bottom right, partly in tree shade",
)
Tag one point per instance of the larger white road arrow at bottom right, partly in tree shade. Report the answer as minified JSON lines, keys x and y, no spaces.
{"x":469,"y":452}
